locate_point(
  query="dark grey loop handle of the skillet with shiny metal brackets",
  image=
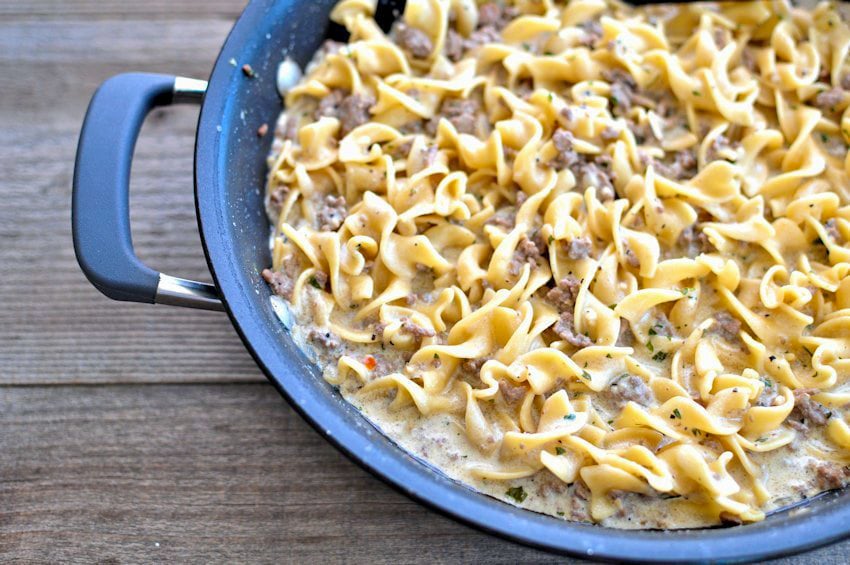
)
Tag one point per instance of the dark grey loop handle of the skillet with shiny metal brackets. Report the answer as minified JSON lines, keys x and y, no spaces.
{"x":100,"y":208}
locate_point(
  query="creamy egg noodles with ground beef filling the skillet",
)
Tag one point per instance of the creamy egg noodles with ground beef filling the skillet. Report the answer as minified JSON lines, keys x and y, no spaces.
{"x":587,"y":258}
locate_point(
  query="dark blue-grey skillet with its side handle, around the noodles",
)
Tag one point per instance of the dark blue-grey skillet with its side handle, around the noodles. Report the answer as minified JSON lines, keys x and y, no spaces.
{"x":230,"y":168}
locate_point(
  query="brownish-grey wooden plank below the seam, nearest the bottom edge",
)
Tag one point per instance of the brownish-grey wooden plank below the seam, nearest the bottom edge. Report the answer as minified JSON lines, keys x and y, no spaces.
{"x":224,"y":473}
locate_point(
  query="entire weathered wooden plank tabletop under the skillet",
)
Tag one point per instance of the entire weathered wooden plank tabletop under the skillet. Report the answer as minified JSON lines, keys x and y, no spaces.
{"x":132,"y":432}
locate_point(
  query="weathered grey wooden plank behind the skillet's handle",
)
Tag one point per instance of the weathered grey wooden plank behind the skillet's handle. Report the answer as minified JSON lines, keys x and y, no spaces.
{"x":54,"y":326}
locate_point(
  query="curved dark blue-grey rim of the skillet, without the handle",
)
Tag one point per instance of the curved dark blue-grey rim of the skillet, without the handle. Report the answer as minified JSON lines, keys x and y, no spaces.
{"x":787,"y":533}
